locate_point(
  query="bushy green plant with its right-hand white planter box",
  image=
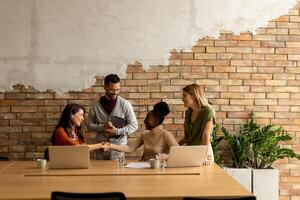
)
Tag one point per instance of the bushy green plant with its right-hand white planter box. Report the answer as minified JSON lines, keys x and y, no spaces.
{"x":257,"y":148}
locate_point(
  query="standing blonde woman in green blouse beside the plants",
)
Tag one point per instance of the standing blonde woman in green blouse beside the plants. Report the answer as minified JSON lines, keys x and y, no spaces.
{"x":199,"y":119}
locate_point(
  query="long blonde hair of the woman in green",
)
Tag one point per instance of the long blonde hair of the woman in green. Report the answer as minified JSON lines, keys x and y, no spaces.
{"x":198,"y":92}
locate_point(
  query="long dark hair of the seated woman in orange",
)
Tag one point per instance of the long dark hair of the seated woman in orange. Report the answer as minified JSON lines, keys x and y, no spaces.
{"x":65,"y":121}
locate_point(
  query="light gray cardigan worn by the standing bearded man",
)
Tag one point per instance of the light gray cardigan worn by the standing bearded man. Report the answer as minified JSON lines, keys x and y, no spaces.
{"x":122,"y":117}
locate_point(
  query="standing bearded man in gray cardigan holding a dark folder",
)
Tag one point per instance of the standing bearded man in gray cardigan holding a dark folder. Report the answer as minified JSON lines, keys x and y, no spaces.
{"x":112,"y":117}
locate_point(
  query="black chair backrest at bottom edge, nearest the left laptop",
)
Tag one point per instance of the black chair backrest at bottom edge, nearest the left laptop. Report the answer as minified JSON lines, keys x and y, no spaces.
{"x":87,"y":196}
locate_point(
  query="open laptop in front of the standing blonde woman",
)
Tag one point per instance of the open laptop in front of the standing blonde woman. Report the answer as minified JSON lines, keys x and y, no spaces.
{"x":186,"y":156}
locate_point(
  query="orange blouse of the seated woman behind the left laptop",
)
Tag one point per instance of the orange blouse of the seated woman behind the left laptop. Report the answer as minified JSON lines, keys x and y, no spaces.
{"x":62,"y":138}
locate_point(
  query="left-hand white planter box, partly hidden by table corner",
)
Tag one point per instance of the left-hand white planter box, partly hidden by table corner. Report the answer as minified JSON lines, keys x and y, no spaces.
{"x":241,"y":175}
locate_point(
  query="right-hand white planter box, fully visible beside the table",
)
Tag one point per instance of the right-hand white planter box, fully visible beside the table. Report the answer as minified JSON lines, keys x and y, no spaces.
{"x":265,"y":184}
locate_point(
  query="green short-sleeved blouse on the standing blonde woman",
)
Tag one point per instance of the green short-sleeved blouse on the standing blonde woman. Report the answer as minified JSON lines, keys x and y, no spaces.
{"x":193,"y":131}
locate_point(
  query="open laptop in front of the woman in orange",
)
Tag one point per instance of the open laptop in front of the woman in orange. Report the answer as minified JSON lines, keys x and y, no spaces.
{"x":69,"y":157}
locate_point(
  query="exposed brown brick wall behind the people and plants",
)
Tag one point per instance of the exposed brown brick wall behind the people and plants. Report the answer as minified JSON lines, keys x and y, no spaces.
{"x":241,"y":73}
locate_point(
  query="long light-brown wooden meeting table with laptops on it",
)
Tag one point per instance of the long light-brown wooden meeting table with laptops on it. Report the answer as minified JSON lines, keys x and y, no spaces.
{"x":23,"y":180}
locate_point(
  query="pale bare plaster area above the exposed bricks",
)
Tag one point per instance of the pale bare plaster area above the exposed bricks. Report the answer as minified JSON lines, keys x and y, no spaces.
{"x":63,"y":44}
